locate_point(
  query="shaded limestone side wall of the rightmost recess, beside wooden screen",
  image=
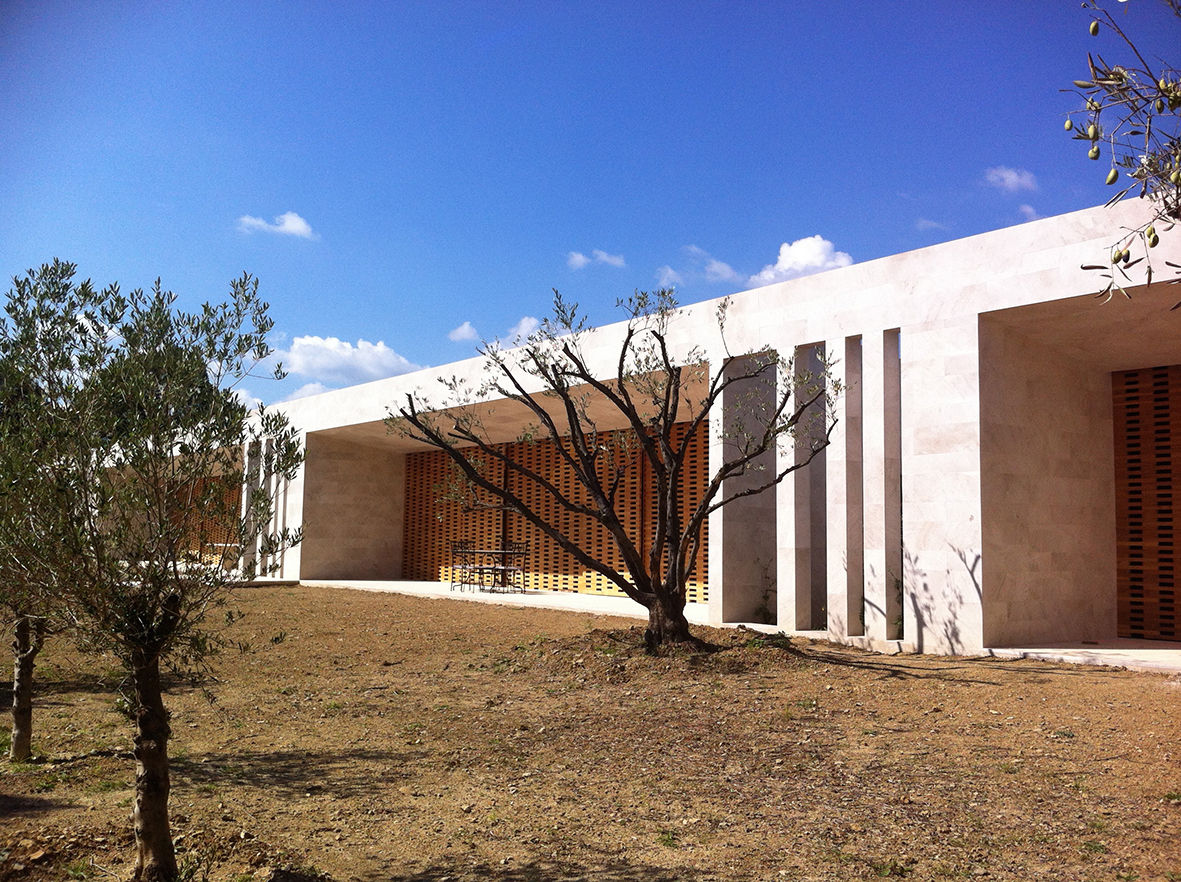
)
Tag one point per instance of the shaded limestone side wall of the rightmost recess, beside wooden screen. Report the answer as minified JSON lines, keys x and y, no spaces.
{"x":1048,"y":493}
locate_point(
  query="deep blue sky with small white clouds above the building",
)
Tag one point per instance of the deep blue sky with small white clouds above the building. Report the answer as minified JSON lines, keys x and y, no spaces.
{"x":407,"y":177}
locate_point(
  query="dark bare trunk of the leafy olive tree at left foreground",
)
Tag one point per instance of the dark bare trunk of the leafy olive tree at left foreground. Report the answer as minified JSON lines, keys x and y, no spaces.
{"x":155,"y":855}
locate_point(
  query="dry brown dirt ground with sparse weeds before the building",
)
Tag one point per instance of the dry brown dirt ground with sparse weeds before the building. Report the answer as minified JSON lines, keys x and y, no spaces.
{"x":382,"y":737}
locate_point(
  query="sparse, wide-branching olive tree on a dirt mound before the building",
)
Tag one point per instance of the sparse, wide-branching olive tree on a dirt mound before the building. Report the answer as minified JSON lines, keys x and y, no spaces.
{"x":563,"y":401}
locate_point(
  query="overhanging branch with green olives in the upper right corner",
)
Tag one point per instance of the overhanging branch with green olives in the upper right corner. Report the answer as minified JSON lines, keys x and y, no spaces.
{"x":1132,"y":115}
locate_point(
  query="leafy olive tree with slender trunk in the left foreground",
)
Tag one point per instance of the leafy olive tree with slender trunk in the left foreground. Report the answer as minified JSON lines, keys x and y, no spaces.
{"x":160,"y":474}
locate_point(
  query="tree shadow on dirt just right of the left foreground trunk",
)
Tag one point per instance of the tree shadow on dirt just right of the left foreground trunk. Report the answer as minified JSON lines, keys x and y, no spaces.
{"x":344,"y":773}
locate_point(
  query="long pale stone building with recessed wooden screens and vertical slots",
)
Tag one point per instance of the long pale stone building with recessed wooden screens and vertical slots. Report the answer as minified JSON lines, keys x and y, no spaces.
{"x":1001,"y":474}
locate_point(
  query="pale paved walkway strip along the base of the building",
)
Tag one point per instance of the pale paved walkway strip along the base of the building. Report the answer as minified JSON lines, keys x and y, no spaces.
{"x":1133,"y":655}
